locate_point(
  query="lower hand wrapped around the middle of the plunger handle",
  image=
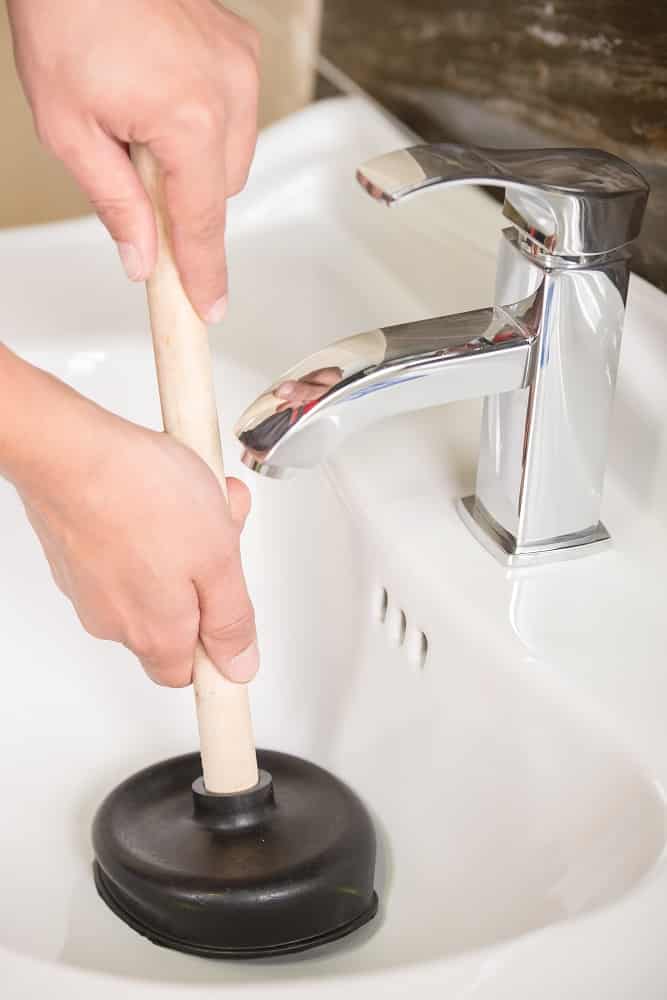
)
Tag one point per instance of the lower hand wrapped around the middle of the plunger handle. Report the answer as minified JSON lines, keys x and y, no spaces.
{"x":137,"y":533}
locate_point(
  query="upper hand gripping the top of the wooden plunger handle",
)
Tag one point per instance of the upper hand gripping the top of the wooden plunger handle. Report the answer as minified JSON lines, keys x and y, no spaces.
{"x":181,"y":77}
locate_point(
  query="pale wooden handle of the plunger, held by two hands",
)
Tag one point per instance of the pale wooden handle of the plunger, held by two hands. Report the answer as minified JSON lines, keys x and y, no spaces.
{"x":189,"y":413}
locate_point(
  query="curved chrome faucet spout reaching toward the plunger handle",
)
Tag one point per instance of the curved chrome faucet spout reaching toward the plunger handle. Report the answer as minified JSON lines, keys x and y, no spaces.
{"x":354,"y":382}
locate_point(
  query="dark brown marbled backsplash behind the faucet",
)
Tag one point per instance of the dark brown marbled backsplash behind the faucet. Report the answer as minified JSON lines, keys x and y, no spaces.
{"x":529,"y":72}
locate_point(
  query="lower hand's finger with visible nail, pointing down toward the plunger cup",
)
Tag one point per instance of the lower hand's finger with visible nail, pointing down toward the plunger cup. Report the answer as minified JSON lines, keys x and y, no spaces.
{"x":227,"y":621}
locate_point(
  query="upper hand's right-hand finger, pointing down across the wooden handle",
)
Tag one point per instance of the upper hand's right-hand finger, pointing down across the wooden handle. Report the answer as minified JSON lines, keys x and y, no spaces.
{"x":192,"y":159}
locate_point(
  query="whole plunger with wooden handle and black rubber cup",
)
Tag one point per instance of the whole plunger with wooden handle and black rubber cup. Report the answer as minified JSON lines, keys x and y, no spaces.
{"x":230,"y":854}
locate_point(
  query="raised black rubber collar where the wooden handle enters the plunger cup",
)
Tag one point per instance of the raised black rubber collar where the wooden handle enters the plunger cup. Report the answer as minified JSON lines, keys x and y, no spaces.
{"x":232,"y":812}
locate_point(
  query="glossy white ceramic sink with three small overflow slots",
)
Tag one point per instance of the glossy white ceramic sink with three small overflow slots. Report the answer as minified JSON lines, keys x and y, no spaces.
{"x":512,"y":744}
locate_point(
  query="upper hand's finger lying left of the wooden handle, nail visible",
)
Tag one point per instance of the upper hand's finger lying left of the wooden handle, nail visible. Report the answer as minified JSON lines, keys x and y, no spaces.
{"x":102,"y":167}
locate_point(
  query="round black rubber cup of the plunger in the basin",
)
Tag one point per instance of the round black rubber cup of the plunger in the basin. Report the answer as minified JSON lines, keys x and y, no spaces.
{"x":282,"y":867}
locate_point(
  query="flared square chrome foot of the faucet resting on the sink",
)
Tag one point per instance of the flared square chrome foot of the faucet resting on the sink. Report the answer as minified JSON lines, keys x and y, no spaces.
{"x":503,"y":545}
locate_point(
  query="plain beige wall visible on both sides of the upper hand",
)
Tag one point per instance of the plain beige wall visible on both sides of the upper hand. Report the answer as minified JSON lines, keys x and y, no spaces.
{"x":35,"y":188}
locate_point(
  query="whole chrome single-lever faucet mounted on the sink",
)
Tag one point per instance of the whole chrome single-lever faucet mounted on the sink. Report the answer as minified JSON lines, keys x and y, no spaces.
{"x":544,"y":357}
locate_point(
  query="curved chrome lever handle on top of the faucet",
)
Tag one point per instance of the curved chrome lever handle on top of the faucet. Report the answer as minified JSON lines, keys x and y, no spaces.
{"x":568,"y":202}
